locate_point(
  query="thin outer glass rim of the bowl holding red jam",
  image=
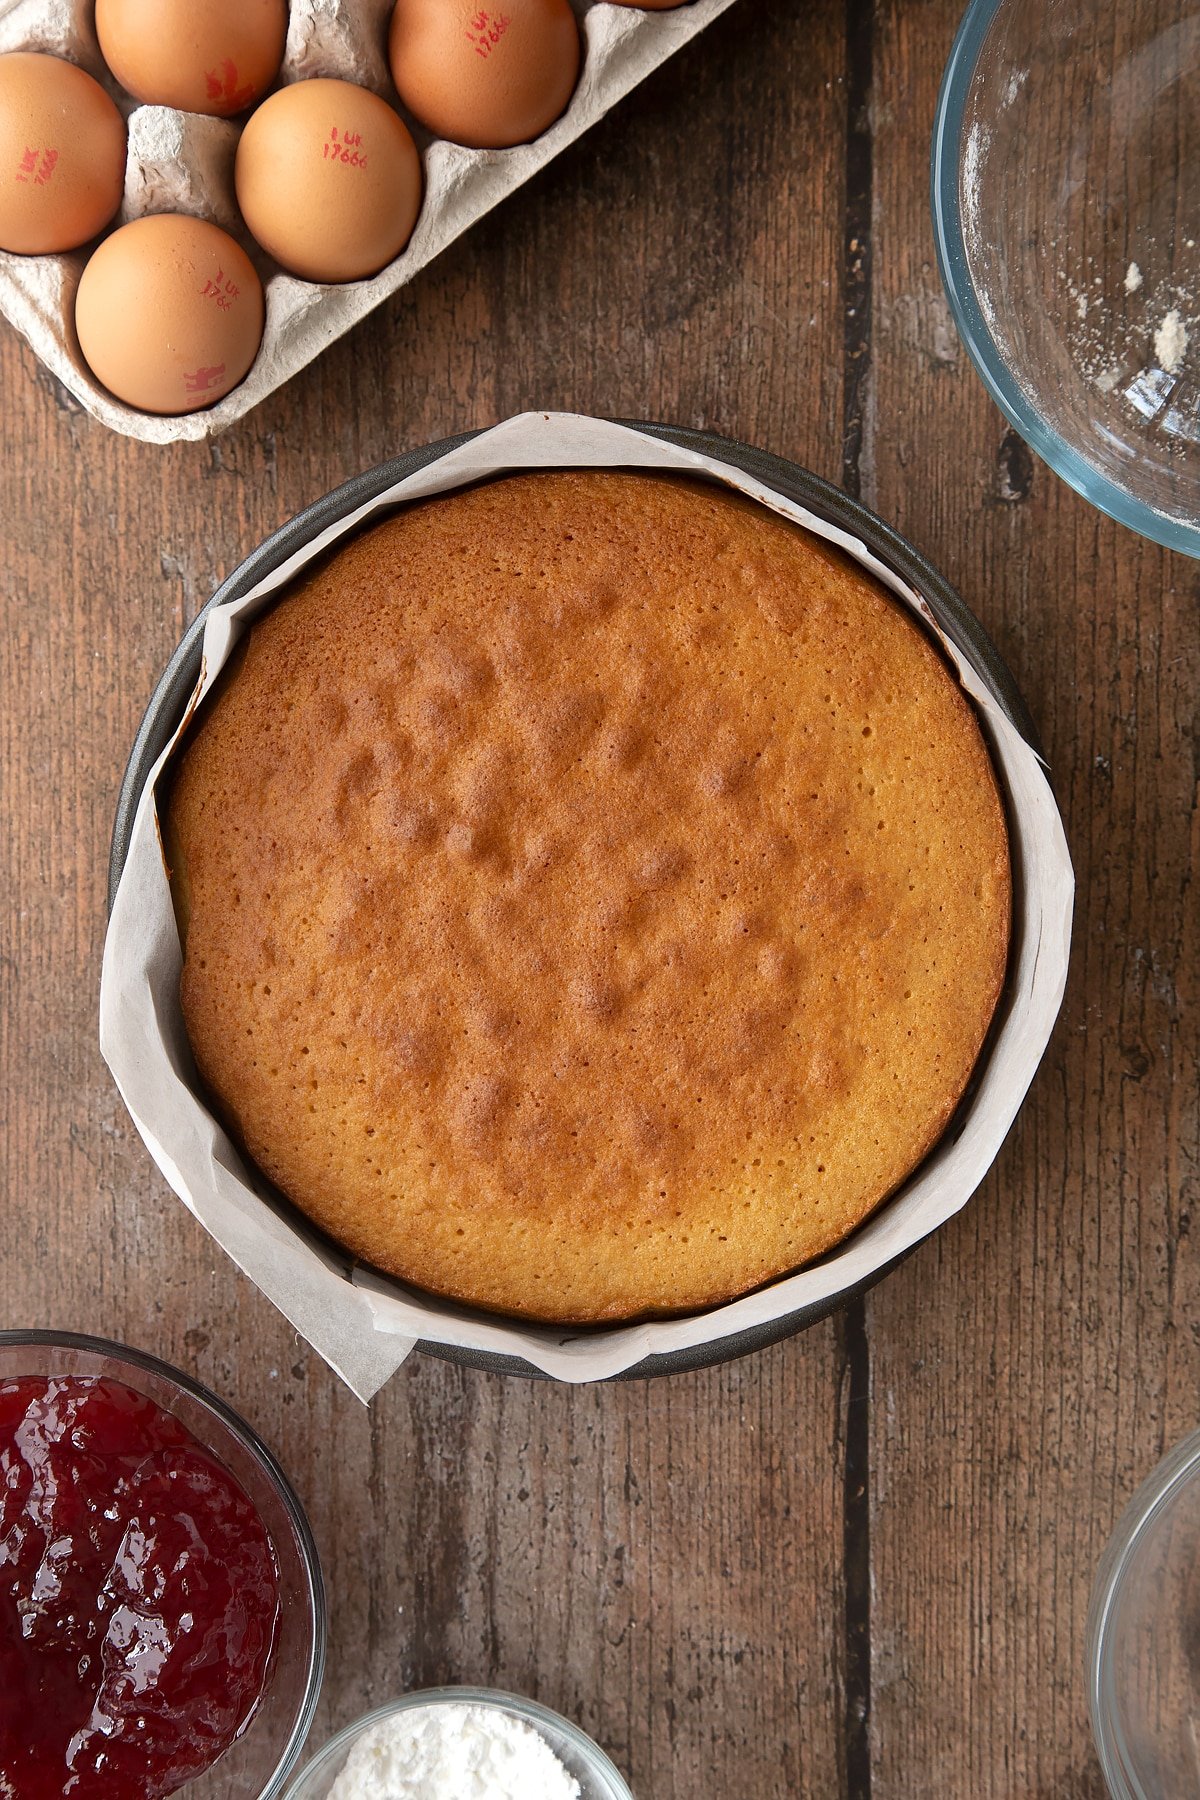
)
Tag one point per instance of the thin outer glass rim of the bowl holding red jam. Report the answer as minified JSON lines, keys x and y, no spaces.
{"x":253,"y":1444}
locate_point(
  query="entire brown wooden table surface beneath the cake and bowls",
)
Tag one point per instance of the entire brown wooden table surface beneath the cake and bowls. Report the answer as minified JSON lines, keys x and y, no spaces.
{"x":857,"y":1565}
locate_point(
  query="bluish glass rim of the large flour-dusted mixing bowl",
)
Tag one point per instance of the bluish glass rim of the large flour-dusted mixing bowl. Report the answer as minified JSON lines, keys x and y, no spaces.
{"x":983,"y":350}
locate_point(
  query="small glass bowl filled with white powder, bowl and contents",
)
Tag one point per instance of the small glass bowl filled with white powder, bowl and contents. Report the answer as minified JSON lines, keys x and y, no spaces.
{"x":461,"y":1745}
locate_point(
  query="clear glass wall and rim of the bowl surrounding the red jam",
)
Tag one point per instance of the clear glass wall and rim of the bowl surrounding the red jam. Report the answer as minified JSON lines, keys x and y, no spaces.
{"x":258,"y":1765}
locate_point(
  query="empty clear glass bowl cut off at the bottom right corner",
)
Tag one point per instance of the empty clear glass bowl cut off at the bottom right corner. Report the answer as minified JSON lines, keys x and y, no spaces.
{"x":1143,"y":1639}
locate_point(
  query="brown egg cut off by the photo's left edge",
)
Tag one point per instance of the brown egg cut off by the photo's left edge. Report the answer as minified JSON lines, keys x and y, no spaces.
{"x":62,"y":156}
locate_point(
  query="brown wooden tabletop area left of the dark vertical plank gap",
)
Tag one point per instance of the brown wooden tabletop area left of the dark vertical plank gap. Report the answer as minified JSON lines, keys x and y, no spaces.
{"x":661,"y":1563}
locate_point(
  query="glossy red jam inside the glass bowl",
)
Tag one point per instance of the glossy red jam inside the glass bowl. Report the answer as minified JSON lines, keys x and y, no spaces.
{"x":139,"y":1596}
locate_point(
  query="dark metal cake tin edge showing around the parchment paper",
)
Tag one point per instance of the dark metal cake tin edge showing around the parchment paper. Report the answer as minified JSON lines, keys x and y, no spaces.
{"x":179,"y":679}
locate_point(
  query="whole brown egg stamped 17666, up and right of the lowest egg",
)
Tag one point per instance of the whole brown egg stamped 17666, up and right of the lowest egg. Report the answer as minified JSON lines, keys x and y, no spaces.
{"x":328,"y":181}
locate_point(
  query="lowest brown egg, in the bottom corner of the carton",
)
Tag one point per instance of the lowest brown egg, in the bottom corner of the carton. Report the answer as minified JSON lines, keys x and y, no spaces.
{"x":170,"y":314}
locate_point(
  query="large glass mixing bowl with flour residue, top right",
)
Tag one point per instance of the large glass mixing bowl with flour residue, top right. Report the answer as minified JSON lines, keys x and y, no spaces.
{"x":1068,"y":220}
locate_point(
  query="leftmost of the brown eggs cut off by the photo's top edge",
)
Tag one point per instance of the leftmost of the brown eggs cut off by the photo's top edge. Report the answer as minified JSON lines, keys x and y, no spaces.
{"x":213,"y":57}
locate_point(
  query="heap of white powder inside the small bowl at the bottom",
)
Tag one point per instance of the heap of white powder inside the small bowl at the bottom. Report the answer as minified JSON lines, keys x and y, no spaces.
{"x":454,"y":1754}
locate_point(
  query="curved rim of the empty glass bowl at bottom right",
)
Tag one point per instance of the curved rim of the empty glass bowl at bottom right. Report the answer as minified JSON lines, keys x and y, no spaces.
{"x":1152,"y":1498}
